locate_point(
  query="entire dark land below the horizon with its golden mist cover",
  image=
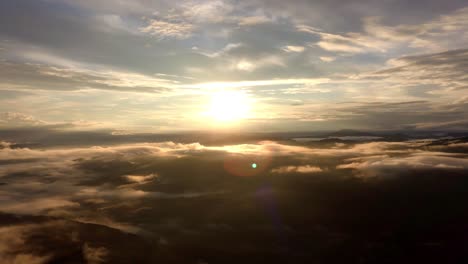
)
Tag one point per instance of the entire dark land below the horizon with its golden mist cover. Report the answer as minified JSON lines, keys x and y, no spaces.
{"x":330,"y":200}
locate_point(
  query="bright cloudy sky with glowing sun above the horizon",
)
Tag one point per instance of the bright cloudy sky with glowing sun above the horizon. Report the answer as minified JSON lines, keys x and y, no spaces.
{"x":166,"y":66}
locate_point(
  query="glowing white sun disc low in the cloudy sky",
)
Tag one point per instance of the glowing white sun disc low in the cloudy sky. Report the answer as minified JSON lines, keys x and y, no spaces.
{"x":229,"y":106}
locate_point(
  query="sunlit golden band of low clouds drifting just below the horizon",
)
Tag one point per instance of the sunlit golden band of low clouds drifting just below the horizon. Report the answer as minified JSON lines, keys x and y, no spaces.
{"x":373,"y":158}
